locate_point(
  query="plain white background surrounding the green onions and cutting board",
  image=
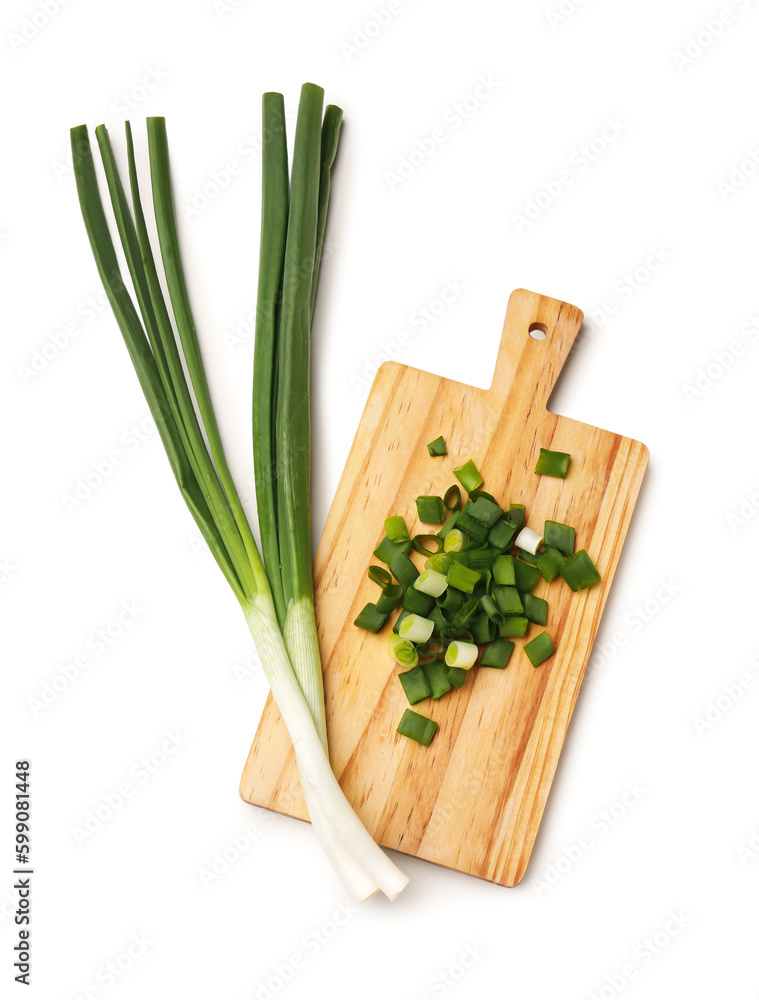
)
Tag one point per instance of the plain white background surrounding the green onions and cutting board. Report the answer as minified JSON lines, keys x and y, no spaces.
{"x":584,"y":922}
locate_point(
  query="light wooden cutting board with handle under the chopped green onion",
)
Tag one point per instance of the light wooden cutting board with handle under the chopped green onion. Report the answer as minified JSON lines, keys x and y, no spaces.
{"x":473,"y":799}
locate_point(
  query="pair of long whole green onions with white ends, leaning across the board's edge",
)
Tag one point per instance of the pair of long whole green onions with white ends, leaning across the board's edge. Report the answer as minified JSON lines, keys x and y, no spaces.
{"x":276,"y":591}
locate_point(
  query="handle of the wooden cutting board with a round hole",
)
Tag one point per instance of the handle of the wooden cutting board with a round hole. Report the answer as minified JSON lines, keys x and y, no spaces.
{"x":538,"y":333}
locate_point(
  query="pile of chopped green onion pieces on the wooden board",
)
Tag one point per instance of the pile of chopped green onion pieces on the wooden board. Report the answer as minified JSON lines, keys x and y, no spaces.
{"x":474,"y":595}
